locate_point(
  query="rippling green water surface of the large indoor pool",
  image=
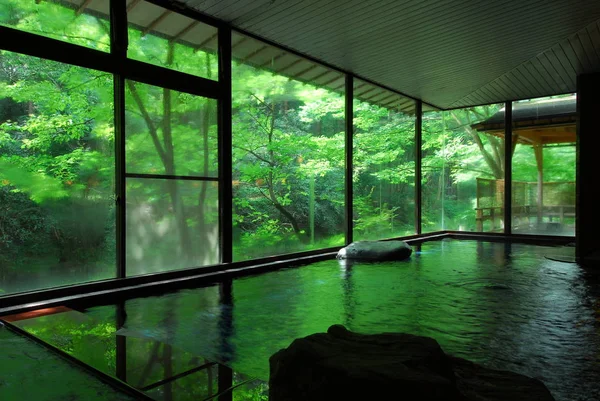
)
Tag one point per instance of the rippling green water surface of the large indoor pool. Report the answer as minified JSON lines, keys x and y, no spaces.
{"x":508,"y":306}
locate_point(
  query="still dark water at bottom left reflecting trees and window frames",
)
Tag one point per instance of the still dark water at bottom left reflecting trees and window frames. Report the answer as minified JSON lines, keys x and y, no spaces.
{"x":158,"y":369}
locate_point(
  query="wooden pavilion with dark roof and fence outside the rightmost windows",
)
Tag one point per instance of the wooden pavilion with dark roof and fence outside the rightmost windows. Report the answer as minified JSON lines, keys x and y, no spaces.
{"x":538,"y":124}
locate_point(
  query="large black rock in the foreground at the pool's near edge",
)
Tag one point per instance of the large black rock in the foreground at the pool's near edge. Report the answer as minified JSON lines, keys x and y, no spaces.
{"x":342,"y":365}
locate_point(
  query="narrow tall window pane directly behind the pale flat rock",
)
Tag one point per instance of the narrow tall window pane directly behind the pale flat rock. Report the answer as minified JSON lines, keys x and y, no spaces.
{"x":384,"y":163}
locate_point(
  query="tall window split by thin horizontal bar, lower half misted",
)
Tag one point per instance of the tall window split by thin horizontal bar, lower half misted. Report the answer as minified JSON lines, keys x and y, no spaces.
{"x":171,"y":185}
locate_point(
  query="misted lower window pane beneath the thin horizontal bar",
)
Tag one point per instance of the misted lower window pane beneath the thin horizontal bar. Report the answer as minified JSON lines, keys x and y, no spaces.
{"x":171,"y":224}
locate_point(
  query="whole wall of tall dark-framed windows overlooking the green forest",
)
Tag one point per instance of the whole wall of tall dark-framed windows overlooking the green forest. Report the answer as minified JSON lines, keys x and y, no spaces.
{"x":120,"y":168}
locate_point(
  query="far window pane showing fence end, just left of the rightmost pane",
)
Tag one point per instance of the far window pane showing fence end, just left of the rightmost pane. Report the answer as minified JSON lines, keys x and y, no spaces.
{"x":463,"y":171}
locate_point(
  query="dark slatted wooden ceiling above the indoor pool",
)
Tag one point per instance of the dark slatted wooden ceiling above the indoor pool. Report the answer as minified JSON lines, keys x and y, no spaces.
{"x":447,"y":53}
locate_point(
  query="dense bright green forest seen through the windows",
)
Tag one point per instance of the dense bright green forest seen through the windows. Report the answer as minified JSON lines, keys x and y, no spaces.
{"x":57,"y":162}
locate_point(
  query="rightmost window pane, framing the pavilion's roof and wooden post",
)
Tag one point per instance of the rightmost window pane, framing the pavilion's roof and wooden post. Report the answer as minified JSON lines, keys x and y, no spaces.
{"x":543,"y":186}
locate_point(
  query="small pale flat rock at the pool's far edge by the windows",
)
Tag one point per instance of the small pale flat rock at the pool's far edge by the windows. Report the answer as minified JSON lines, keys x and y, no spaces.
{"x":376,"y":250}
